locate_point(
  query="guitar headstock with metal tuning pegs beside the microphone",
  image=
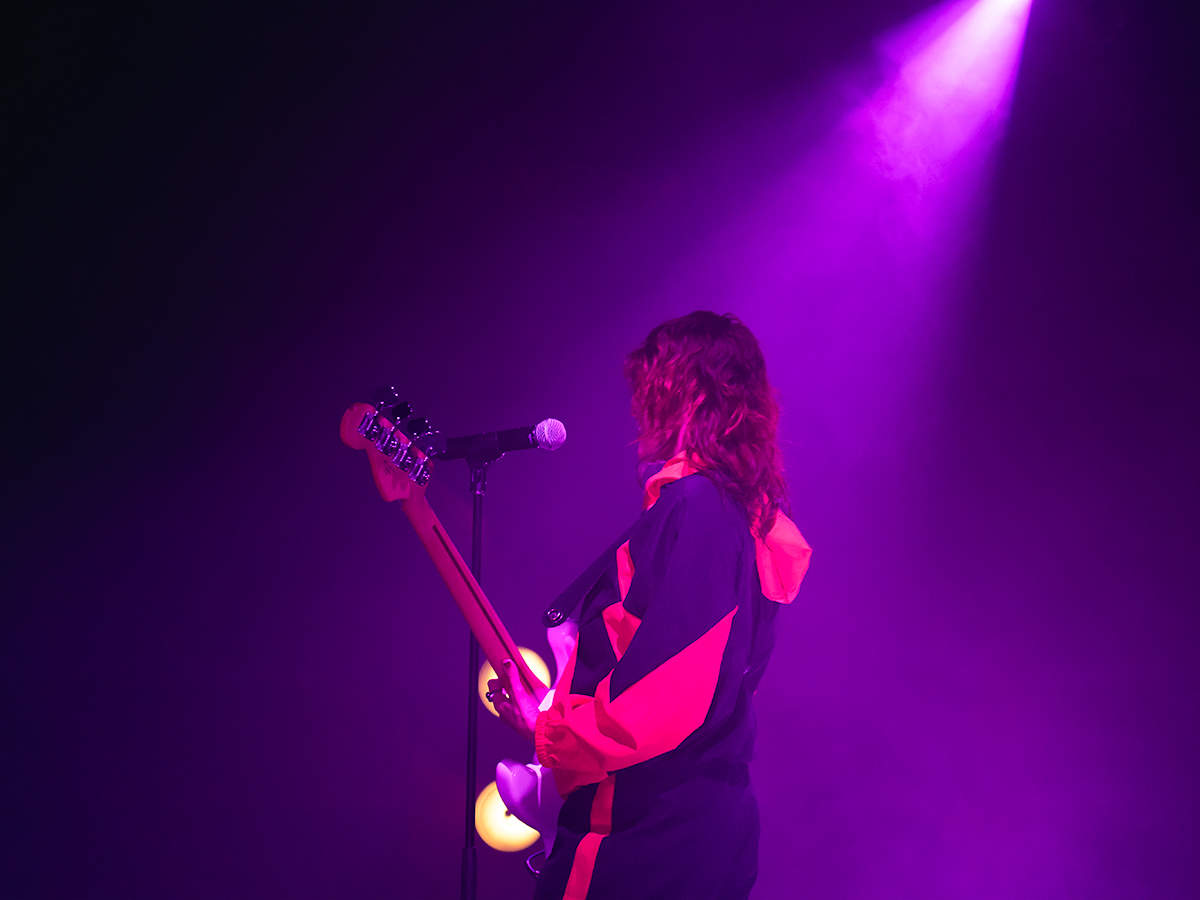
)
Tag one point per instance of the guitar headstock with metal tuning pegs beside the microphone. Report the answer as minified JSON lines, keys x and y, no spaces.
{"x":400,"y":447}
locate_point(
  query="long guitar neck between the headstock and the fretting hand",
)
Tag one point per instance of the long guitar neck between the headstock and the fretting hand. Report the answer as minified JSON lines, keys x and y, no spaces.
{"x":485,"y":625}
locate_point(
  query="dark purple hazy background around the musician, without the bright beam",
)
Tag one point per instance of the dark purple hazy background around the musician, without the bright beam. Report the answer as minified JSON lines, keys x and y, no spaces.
{"x":230,"y":670}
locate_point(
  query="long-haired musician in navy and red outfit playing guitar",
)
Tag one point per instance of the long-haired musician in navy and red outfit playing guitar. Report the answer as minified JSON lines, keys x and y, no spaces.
{"x":652,"y":728}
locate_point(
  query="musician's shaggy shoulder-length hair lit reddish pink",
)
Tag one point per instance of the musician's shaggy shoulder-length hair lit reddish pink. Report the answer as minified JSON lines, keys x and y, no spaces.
{"x":700,"y":389}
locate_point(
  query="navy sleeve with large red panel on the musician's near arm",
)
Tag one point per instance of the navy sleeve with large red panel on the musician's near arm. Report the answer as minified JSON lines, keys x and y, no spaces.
{"x":682,"y":577}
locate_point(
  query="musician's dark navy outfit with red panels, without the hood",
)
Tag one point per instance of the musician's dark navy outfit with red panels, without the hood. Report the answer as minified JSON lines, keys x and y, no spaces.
{"x":653,"y":724}
